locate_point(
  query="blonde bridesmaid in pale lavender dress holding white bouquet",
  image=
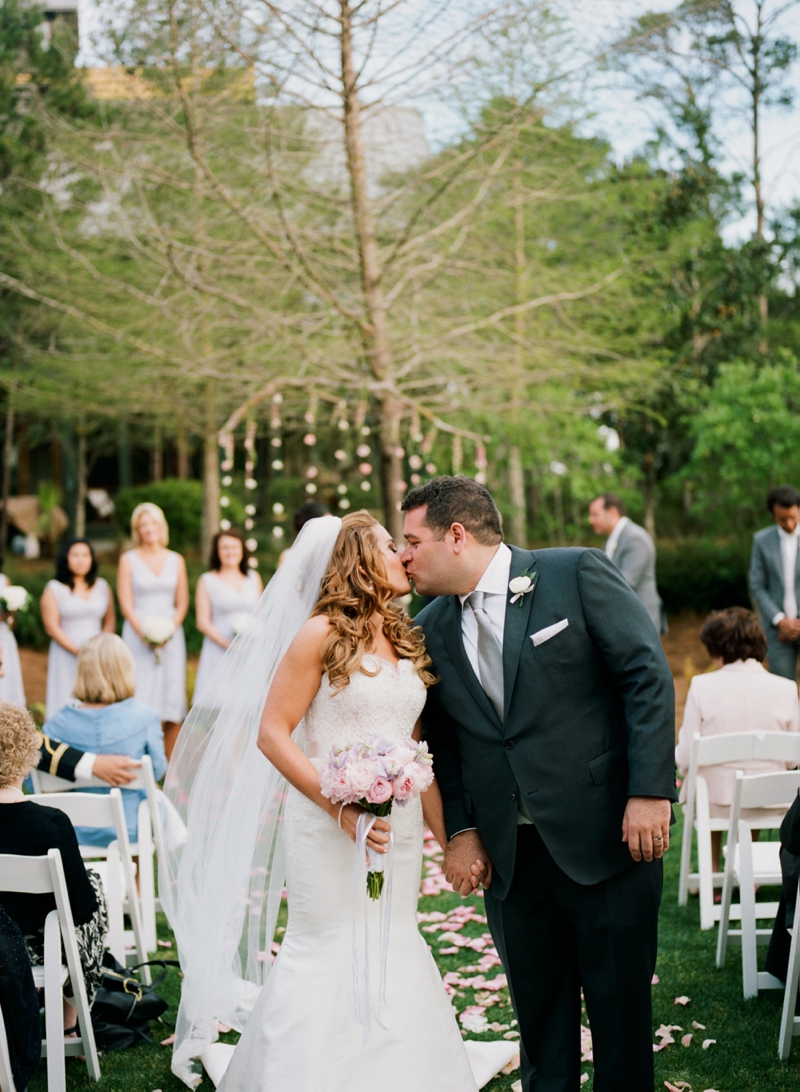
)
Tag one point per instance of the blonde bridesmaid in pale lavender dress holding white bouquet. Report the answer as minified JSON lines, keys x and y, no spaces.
{"x":152,"y":580}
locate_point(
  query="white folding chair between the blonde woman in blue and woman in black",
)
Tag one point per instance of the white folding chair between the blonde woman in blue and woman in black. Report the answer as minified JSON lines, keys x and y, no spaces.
{"x":116,"y":871}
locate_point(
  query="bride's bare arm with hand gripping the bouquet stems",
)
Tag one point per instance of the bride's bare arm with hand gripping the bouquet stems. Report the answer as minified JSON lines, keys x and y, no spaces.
{"x":293,"y":691}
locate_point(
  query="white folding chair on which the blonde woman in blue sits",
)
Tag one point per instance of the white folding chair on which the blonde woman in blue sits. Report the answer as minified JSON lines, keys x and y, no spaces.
{"x":150,"y":841}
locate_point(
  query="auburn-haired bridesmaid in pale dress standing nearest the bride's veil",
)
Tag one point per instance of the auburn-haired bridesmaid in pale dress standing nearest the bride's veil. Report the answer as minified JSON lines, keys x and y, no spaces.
{"x":230,"y":591}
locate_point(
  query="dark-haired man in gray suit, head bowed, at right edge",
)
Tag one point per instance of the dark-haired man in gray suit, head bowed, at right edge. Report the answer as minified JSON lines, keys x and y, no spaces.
{"x":775,"y":580}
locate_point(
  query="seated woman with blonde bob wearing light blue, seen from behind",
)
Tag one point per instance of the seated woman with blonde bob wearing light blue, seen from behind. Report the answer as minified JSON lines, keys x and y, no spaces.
{"x":110,"y":720}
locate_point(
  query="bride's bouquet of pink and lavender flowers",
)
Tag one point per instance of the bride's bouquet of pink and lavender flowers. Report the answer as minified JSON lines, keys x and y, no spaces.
{"x":377,"y":774}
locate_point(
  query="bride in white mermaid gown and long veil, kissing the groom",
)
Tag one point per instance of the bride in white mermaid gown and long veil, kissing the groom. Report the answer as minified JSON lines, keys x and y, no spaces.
{"x":354,"y":998}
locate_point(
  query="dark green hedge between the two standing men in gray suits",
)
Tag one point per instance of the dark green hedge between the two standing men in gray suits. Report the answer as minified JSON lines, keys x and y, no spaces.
{"x":702,"y":575}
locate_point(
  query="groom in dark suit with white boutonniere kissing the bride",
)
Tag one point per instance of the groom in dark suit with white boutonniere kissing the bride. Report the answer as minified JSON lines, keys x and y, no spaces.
{"x":553,"y":730}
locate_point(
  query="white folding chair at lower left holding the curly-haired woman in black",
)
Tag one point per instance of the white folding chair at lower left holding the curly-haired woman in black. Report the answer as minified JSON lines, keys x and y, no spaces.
{"x":45,"y":876}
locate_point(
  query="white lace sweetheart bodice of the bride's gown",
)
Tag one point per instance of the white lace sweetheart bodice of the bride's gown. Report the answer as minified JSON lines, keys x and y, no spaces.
{"x":386,"y":705}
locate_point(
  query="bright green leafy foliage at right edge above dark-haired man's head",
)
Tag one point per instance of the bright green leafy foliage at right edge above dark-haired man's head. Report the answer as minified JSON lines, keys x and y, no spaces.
{"x":747,"y":440}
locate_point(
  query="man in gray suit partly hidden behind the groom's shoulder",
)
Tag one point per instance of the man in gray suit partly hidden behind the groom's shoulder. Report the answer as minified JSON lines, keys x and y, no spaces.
{"x":630,"y":549}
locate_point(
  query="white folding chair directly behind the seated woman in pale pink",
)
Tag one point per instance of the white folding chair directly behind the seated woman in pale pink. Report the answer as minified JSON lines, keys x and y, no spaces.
{"x":749,"y":863}
